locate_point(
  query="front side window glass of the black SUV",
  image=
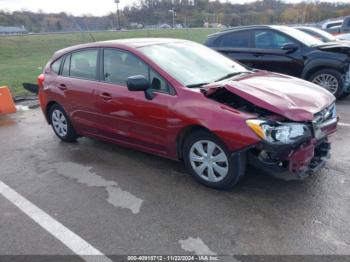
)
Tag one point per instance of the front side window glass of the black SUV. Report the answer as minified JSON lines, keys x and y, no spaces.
{"x":267,"y":39}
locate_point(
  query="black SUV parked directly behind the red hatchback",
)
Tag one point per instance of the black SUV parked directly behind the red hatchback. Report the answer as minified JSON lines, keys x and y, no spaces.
{"x":289,"y":51}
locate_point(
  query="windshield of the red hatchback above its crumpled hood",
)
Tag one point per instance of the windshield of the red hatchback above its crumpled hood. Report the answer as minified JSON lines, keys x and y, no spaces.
{"x":192,"y":64}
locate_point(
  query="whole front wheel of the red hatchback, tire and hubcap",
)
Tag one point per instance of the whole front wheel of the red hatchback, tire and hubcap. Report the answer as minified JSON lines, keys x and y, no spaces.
{"x":209,"y":161}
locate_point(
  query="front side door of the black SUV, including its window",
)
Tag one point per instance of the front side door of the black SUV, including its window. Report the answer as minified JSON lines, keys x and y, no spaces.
{"x":270,"y":54}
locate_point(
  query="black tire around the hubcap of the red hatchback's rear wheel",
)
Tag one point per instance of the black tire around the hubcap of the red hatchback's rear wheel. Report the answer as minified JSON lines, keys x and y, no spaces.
{"x":70,"y":134}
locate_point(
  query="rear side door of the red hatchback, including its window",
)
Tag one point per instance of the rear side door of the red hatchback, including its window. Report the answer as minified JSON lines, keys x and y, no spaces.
{"x":78,"y":81}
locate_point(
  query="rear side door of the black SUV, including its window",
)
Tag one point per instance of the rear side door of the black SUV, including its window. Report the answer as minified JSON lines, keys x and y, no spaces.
{"x":237,"y":46}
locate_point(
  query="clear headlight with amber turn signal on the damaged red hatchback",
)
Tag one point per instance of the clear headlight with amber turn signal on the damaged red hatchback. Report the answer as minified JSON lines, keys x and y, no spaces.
{"x":278,"y":132}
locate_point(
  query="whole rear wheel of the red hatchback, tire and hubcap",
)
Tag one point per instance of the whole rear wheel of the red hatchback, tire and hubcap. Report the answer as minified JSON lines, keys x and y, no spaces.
{"x":61,"y":124}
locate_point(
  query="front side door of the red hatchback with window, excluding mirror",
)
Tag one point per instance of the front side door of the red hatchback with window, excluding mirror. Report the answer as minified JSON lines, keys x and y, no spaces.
{"x":129,"y":117}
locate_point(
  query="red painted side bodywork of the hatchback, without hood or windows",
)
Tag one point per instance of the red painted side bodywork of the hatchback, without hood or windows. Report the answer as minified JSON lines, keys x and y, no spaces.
{"x":129,"y":119}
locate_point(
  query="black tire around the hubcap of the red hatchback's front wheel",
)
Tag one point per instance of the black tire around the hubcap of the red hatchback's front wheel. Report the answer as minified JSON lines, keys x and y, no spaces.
{"x":236,"y":162}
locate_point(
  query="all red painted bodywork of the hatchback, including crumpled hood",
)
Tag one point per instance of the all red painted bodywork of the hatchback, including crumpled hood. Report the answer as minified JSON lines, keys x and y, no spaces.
{"x":156,"y":126}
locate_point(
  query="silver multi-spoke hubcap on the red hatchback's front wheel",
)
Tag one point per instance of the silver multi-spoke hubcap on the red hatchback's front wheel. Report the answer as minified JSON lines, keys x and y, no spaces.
{"x":209,"y":161}
